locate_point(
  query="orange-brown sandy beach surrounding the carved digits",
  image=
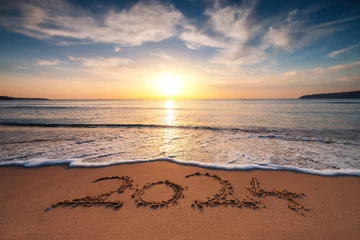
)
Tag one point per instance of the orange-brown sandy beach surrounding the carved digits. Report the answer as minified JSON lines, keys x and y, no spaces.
{"x":28,"y":192}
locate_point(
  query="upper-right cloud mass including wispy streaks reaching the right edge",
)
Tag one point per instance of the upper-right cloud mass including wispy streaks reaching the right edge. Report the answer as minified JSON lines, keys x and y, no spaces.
{"x":231,"y":29}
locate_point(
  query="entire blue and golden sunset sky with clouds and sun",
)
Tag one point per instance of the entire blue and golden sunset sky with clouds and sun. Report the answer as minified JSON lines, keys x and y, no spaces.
{"x":187,"y":49}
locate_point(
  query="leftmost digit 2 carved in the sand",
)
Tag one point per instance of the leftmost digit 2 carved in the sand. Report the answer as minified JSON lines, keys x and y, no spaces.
{"x":101,"y":199}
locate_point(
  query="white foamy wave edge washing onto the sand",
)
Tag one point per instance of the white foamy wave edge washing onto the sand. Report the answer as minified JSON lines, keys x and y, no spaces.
{"x":79,"y":163}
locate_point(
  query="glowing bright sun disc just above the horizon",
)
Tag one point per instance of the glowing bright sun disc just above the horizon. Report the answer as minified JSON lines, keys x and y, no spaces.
{"x":169,"y":84}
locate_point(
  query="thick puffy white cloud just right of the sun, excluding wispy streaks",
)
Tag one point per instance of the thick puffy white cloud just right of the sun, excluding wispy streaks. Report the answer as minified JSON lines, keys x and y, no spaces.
{"x":228,"y":29}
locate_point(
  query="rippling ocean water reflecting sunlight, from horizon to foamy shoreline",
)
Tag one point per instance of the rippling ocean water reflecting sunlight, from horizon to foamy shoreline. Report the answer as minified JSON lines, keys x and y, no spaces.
{"x":315,"y":136}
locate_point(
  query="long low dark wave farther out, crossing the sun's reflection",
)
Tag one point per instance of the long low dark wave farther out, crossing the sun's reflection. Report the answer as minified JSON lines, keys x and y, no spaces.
{"x":343,"y":136}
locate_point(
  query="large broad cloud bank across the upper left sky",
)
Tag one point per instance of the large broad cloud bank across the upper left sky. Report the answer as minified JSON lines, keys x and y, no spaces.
{"x":63,"y":23}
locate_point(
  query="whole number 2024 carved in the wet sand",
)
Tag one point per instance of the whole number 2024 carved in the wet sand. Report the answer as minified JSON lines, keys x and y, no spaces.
{"x":225,"y":196}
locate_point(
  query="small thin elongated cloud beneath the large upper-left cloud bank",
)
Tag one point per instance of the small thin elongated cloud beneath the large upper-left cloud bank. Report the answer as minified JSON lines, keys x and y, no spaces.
{"x":101,"y":62}
